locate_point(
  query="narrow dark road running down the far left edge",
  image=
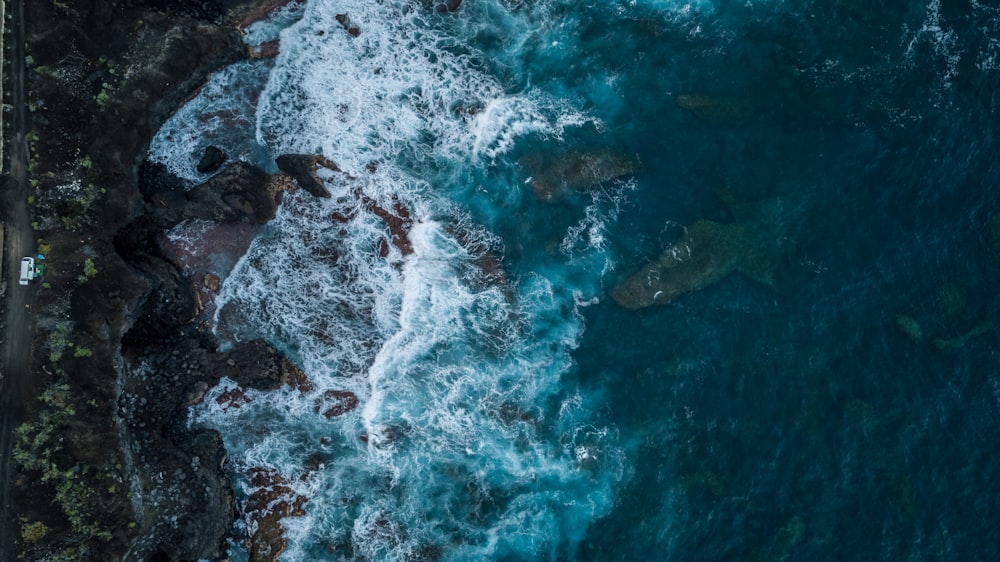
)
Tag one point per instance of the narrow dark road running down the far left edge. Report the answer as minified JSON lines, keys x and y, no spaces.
{"x":15,"y":358}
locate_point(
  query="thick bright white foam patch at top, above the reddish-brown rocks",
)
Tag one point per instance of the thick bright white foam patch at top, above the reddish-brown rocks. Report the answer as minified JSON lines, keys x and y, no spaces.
{"x":402,"y":90}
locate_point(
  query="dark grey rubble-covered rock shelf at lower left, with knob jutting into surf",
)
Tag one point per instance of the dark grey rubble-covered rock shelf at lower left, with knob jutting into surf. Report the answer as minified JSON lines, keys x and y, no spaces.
{"x":188,"y":504}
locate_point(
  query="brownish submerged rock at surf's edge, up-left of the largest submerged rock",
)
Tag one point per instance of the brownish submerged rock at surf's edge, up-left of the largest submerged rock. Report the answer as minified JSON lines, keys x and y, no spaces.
{"x":575,"y":171}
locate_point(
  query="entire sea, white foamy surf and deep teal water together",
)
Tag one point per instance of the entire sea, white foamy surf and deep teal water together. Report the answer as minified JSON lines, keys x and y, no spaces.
{"x":833,"y":393}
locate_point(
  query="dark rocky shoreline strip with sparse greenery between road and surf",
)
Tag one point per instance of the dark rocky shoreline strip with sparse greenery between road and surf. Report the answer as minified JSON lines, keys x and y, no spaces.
{"x":108,"y":468}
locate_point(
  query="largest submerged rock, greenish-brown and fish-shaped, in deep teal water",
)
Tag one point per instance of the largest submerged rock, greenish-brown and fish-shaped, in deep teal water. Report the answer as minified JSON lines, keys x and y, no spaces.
{"x":755,"y":245}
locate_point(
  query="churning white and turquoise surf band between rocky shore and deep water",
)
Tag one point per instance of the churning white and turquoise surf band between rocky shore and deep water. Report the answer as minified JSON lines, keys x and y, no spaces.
{"x":471,"y":438}
